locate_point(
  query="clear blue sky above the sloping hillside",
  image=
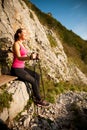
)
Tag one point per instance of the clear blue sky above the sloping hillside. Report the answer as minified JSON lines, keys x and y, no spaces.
{"x":70,"y":13}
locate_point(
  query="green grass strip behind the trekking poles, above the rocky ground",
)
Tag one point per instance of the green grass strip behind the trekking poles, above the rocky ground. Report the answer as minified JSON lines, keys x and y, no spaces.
{"x":53,"y":89}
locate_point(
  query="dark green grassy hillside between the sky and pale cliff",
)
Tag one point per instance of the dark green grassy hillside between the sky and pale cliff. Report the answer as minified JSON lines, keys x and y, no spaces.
{"x":75,"y":47}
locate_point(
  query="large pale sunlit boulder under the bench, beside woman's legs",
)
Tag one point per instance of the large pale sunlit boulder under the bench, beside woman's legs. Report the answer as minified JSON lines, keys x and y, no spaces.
{"x":20,"y":97}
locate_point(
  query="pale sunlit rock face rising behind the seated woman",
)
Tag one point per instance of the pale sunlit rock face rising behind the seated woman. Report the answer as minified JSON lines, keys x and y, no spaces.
{"x":15,"y":14}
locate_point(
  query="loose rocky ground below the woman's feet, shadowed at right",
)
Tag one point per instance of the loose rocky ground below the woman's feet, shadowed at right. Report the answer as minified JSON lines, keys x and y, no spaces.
{"x":68,"y":113}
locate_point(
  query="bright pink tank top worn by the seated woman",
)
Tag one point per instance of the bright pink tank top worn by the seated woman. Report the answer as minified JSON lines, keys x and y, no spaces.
{"x":18,"y":63}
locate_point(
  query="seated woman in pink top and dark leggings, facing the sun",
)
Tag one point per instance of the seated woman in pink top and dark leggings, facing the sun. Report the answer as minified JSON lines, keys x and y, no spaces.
{"x":18,"y":66}
